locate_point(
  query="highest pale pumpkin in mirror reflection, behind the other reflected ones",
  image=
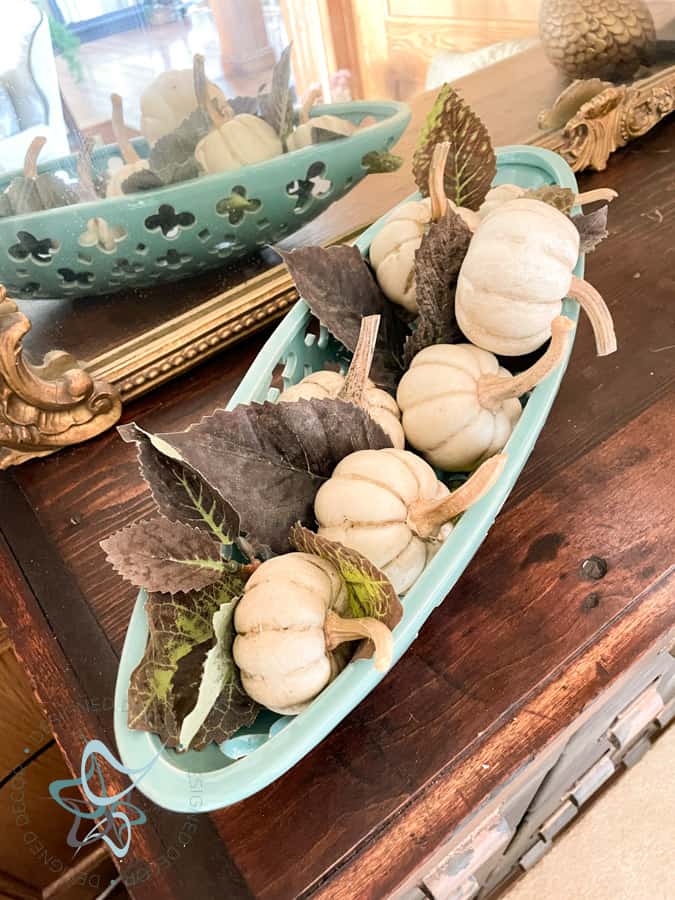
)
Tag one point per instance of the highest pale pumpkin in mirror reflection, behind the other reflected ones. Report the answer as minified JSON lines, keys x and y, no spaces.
{"x":169,"y":100}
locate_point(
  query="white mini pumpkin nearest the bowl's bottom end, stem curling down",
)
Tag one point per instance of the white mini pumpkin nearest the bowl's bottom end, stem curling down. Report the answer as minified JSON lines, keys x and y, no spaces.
{"x":289,"y":632}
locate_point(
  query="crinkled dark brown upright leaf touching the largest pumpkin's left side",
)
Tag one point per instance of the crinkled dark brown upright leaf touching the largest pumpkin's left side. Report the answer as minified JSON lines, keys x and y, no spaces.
{"x":437,"y":264}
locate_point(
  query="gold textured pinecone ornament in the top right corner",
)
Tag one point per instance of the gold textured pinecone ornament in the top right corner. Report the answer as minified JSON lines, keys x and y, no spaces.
{"x":588,"y":38}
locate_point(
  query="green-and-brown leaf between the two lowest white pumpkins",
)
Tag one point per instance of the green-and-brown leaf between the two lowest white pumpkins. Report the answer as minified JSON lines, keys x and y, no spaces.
{"x":369,"y":591}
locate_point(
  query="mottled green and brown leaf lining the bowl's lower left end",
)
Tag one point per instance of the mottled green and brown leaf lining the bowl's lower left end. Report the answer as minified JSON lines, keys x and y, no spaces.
{"x":161,"y":689}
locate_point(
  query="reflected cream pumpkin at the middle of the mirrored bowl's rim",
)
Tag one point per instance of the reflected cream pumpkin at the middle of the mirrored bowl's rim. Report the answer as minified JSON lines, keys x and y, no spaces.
{"x":241,"y":141}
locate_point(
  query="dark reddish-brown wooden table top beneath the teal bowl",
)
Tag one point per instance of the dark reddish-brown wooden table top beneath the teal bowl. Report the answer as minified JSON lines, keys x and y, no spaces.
{"x":512,"y":655}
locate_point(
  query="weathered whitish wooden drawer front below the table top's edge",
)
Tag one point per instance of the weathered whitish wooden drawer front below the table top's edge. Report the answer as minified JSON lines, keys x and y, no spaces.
{"x":516,"y":826}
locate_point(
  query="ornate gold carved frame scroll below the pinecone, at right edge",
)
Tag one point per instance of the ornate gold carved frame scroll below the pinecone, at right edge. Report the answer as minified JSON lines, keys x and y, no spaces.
{"x":608,"y":119}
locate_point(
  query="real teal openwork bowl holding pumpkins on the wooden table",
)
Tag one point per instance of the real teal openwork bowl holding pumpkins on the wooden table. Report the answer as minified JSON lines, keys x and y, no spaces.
{"x":259,"y":754}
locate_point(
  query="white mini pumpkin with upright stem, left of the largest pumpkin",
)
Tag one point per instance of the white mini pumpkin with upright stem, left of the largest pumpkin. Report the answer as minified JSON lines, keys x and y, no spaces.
{"x":392,"y":250}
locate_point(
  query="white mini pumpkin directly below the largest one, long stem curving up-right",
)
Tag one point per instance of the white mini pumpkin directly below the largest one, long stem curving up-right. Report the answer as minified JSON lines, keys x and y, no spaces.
{"x":459,"y":406}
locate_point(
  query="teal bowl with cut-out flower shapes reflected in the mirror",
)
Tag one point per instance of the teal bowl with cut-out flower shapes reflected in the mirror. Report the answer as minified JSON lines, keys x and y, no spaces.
{"x":195,"y":236}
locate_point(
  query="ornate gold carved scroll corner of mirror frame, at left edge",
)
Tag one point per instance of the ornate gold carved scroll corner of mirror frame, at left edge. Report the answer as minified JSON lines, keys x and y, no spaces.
{"x":48,"y":406}
